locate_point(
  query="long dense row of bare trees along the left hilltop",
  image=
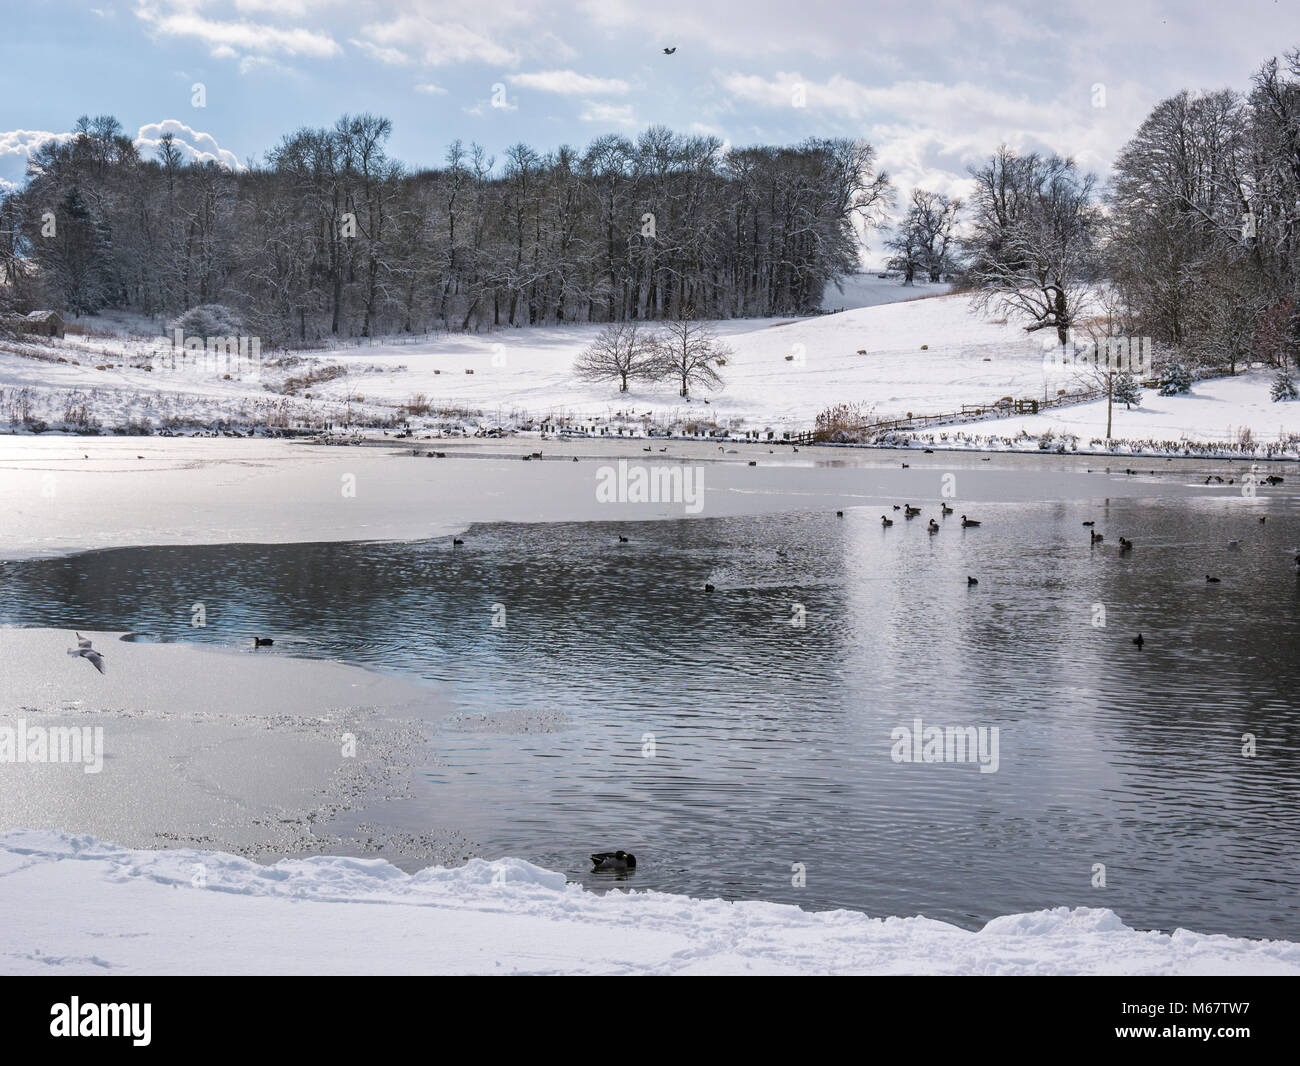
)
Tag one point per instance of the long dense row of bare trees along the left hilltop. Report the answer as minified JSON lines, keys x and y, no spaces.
{"x":332,"y":237}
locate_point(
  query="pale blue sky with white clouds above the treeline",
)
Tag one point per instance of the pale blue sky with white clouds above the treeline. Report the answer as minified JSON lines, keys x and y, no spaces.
{"x":934,"y":86}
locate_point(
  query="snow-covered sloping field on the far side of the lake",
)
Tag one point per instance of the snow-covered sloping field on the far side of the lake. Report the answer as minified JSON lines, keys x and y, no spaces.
{"x":898,"y":352}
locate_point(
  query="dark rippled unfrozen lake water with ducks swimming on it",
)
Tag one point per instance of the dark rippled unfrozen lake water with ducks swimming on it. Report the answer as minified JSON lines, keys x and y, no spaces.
{"x":773,"y":742}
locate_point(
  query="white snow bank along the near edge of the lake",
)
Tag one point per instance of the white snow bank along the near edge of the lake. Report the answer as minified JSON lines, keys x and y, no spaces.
{"x":76,"y":905}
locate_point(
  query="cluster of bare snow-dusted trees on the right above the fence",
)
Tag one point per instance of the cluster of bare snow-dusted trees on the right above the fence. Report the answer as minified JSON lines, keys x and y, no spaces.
{"x":1195,"y":242}
